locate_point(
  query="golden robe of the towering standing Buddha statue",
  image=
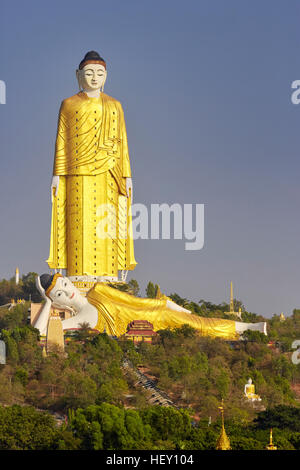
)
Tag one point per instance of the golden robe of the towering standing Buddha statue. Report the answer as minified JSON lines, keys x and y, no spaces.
{"x":91,"y":231}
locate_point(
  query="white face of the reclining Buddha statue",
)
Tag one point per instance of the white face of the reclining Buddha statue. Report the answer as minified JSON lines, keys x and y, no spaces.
{"x":65,"y":294}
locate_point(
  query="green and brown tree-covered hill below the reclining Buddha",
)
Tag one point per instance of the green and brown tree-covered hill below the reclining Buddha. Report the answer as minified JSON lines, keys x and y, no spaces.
{"x":102,"y":408}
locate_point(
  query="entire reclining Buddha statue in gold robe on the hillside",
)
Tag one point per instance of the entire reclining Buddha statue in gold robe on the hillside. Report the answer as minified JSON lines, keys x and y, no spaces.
{"x":108,"y":309}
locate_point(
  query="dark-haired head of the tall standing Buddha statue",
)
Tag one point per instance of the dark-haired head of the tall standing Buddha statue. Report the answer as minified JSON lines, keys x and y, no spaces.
{"x":91,"y":73}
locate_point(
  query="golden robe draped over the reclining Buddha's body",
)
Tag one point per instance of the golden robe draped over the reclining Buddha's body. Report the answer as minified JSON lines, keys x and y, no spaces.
{"x":116,"y":309}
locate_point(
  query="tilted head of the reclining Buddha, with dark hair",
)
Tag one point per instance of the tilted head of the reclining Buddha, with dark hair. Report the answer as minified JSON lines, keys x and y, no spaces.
{"x":60,"y":291}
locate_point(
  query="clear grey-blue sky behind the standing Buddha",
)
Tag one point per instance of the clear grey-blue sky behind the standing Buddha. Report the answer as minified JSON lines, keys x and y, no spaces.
{"x":206,"y":90}
